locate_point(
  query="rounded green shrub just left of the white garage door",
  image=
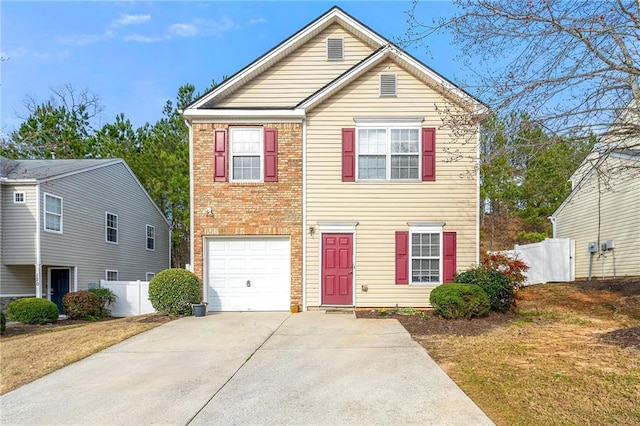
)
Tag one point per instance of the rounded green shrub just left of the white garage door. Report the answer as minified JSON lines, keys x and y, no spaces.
{"x":172,"y":291}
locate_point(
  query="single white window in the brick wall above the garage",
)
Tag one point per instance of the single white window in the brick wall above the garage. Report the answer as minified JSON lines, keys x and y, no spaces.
{"x":246,"y":153}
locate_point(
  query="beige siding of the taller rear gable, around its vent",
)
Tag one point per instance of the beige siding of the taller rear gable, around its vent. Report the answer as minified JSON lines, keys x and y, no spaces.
{"x":300,"y":74}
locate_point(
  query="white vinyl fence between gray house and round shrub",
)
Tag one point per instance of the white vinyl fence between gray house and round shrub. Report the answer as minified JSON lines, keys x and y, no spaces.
{"x":132,"y":297}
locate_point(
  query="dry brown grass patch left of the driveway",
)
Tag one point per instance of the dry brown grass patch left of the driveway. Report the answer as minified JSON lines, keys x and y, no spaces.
{"x":27,"y":356}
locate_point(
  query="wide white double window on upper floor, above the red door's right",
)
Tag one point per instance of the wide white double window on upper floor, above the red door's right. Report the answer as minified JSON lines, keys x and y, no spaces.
{"x":388,"y":153}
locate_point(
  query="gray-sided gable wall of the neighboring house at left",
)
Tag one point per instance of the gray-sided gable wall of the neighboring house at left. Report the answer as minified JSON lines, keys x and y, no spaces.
{"x":86,"y":198}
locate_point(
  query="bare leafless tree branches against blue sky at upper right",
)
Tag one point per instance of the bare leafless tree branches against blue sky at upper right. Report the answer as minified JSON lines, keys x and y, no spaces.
{"x":572,"y":65}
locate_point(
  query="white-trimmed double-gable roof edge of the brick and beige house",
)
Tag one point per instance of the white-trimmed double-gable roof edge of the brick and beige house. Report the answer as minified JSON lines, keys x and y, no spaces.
{"x":385,"y":49}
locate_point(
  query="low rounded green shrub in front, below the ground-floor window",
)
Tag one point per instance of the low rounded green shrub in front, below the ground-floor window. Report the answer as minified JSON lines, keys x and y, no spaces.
{"x":455,"y":301}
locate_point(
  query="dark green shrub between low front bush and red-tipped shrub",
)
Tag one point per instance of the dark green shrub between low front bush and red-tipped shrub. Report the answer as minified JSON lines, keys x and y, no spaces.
{"x":495,"y":283}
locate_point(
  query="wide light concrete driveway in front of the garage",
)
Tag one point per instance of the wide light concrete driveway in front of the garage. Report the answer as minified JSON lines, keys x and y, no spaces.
{"x":250,"y":368}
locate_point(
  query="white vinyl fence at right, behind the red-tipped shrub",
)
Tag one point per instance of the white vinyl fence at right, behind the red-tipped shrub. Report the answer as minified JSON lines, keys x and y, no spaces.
{"x":552,"y":260}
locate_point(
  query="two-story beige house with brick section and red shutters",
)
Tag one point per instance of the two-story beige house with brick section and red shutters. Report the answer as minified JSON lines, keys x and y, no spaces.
{"x":334,"y":170}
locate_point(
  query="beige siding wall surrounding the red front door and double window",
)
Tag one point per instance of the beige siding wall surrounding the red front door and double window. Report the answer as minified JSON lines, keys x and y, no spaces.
{"x":382,"y":208}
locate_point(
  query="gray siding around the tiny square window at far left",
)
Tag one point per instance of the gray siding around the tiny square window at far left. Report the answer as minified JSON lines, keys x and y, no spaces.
{"x":19,"y":226}
